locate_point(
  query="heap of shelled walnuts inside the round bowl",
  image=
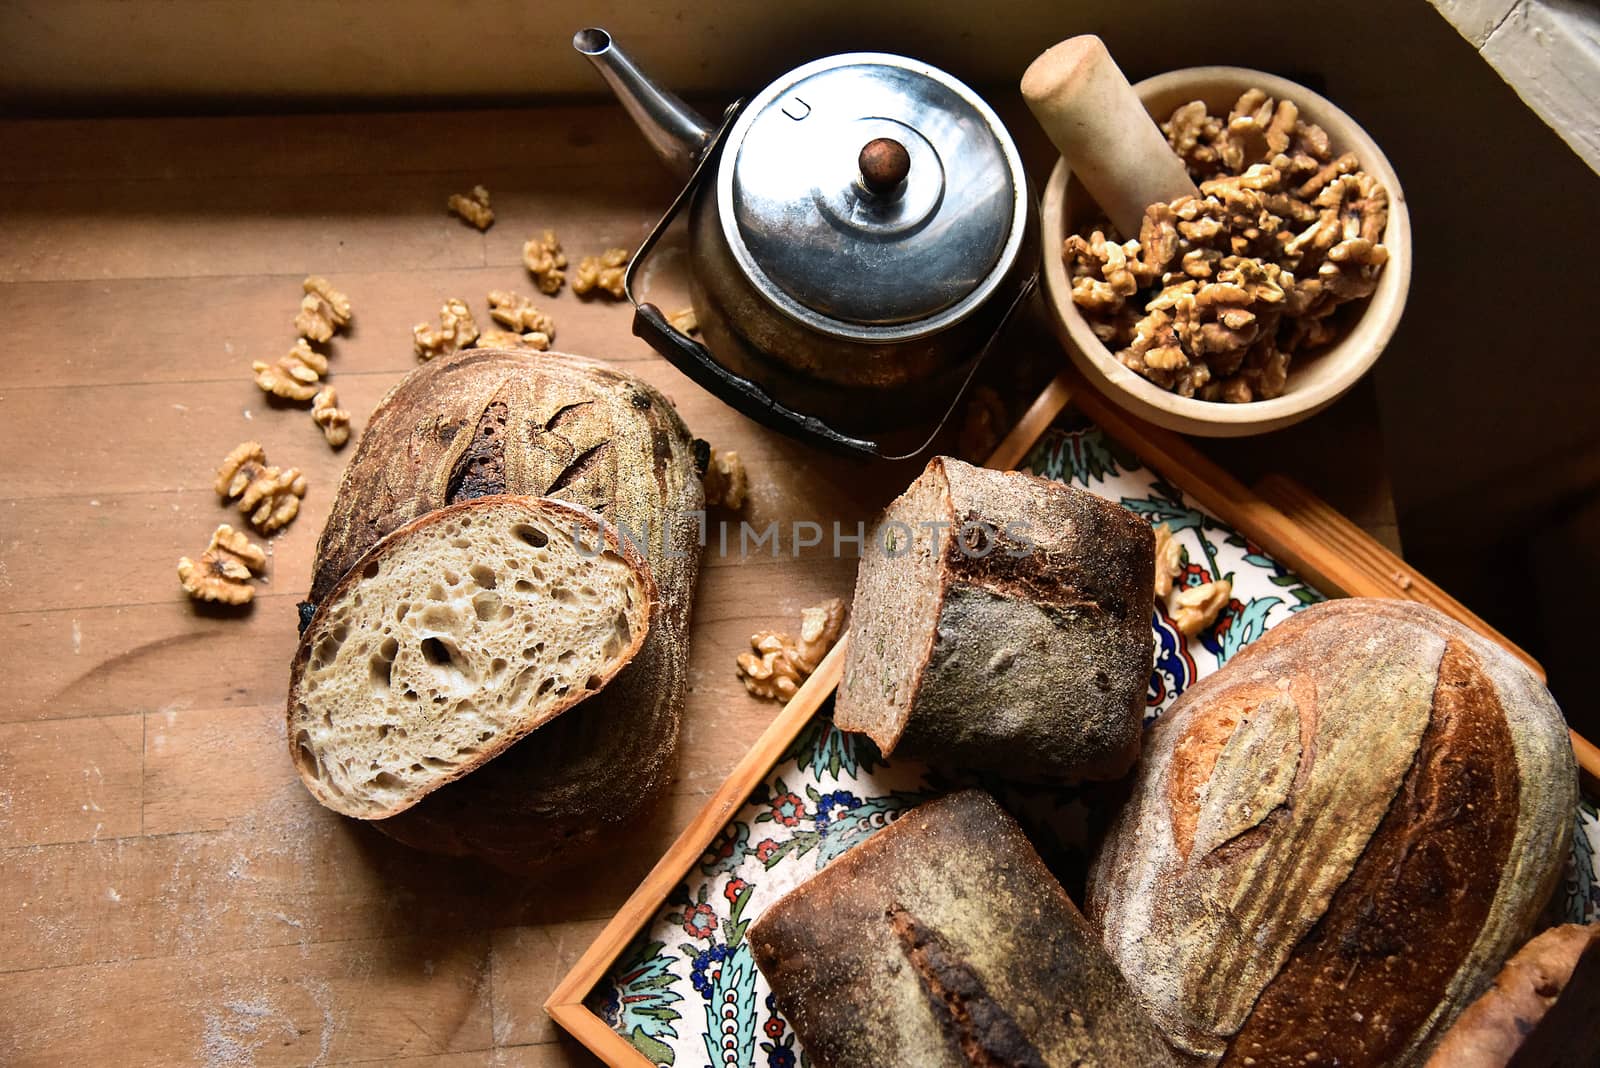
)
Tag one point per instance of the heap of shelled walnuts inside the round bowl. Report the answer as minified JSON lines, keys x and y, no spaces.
{"x":1238,"y":281}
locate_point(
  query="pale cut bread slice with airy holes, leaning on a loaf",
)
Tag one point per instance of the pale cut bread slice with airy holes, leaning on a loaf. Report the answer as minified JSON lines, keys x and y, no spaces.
{"x":452,"y":639}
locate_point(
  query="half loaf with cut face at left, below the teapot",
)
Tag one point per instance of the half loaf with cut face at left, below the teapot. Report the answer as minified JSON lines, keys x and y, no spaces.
{"x":1002,"y":623}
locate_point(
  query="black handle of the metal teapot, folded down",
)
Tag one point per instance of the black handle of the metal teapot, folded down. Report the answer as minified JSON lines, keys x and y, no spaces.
{"x":695,"y":361}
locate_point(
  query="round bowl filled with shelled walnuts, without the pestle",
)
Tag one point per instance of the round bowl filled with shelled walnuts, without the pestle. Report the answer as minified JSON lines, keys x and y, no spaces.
{"x":1260,"y":301}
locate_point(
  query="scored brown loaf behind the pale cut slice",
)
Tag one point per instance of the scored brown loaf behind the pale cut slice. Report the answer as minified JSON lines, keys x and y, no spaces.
{"x":540,"y":424}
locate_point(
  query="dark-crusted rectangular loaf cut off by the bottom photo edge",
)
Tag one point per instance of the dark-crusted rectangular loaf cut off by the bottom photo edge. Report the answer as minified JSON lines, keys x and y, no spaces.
{"x":945,"y":942}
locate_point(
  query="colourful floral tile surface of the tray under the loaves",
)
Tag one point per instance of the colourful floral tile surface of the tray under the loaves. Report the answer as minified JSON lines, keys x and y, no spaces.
{"x":687,"y":990}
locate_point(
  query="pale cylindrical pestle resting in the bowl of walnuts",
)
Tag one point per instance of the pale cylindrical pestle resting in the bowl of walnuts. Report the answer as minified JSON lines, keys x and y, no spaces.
{"x":1095,"y":119}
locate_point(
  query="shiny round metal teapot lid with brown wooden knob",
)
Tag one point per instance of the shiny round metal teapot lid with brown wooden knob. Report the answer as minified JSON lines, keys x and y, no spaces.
{"x":873,"y":196}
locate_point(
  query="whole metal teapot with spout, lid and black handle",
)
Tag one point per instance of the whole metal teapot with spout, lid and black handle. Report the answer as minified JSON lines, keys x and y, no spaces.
{"x":860,"y":233}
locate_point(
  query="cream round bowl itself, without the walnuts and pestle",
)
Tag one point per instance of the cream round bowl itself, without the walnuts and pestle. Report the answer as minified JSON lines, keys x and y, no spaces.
{"x":1314,"y":381}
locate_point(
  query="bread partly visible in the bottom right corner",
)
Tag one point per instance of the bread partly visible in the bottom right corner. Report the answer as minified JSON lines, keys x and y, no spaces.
{"x":1542,"y":1013}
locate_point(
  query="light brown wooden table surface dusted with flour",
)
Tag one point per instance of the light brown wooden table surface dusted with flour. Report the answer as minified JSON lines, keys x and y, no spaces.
{"x":169,"y":893}
